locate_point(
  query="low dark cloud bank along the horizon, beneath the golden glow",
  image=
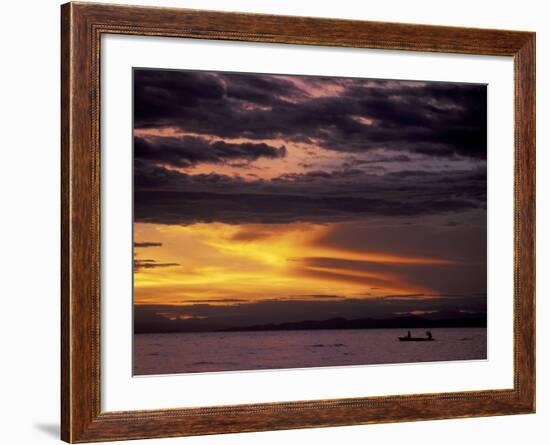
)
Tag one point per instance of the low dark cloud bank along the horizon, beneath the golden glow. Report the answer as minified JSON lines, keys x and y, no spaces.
{"x":151,"y":318}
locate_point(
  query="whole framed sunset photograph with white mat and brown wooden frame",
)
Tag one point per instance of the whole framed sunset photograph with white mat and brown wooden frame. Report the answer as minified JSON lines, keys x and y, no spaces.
{"x":275,"y":222}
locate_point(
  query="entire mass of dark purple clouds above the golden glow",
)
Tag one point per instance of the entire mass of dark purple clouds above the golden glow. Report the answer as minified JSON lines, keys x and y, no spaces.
{"x":409,"y":130}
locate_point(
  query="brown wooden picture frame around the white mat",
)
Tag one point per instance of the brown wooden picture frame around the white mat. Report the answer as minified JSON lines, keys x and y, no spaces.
{"x":82,"y":26}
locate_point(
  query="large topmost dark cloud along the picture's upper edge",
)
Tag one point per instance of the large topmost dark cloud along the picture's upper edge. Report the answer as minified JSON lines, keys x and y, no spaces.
{"x":434,"y":119}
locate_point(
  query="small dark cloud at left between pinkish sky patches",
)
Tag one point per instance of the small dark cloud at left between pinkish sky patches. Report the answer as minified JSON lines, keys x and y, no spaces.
{"x":188,"y":150}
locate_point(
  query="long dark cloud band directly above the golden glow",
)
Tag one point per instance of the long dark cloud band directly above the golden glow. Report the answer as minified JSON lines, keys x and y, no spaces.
{"x":188,"y":208}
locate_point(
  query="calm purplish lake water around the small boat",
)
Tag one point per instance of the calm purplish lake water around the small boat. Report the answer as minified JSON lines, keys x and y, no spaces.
{"x":235,"y":351}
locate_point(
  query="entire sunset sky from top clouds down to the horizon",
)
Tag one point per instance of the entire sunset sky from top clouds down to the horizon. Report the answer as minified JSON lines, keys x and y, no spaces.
{"x":270,"y":198}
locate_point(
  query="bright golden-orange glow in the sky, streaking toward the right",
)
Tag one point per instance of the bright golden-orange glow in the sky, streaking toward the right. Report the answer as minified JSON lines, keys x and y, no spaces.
{"x":253,"y":262}
